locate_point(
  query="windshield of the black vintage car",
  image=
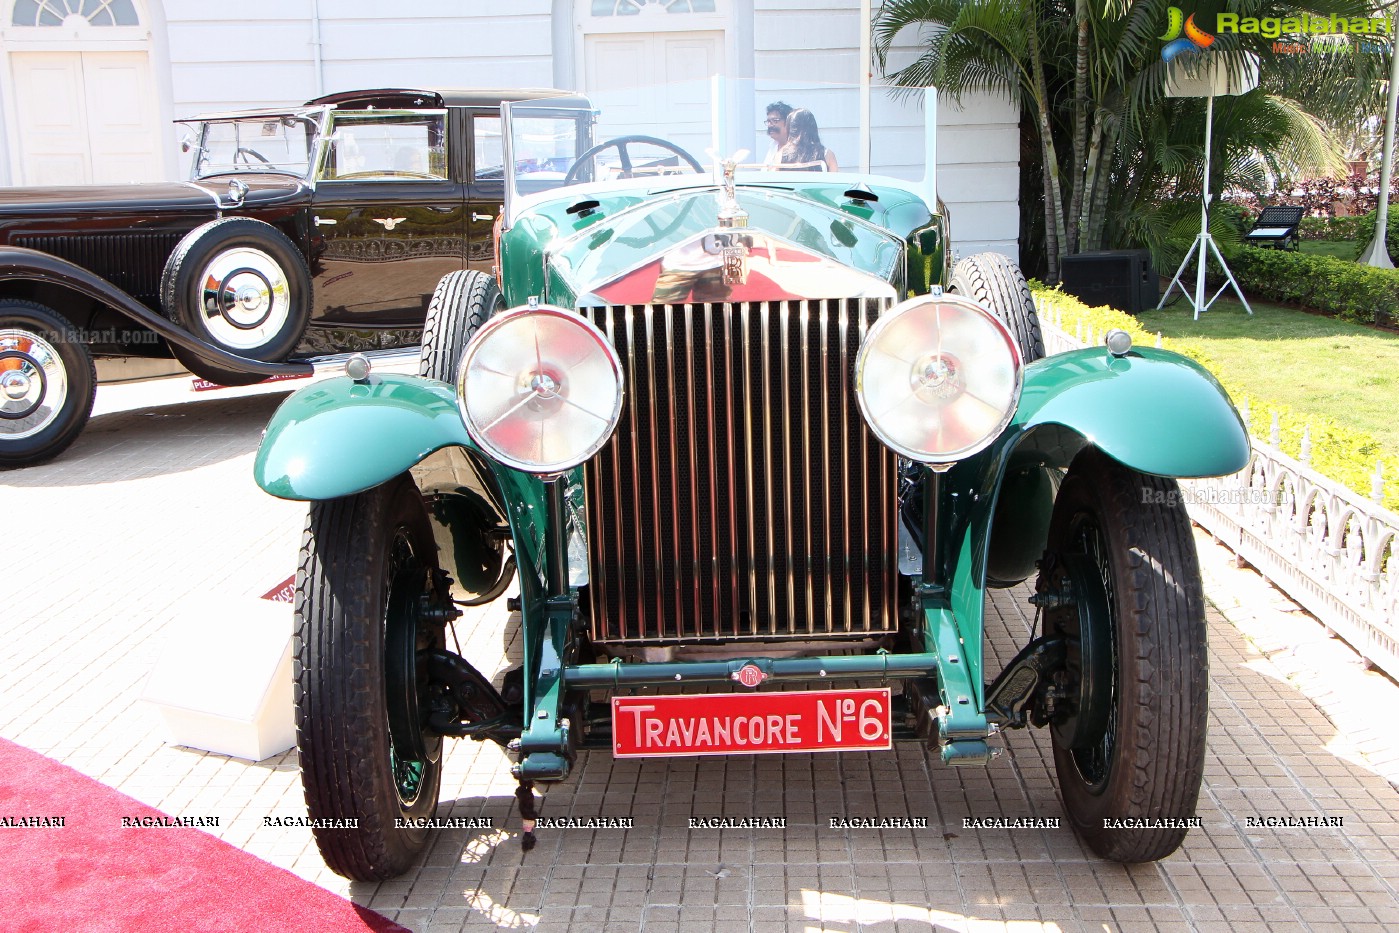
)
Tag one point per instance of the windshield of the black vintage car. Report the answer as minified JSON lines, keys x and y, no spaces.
{"x":262,"y":143}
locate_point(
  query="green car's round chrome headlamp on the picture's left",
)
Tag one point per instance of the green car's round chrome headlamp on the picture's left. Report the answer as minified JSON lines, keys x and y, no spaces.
{"x":541,"y":390}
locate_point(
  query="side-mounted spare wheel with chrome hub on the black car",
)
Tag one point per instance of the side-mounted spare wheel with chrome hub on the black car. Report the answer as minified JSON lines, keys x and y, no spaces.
{"x":241,"y":286}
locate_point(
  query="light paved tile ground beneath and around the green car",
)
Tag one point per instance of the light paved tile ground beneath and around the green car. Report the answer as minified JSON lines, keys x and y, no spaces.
{"x":153,"y":520}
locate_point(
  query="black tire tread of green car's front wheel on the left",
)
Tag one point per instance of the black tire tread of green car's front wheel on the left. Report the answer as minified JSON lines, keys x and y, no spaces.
{"x":339,"y":686}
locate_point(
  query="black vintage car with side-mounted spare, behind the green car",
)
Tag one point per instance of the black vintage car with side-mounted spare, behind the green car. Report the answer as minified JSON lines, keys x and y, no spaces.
{"x":303,"y":234}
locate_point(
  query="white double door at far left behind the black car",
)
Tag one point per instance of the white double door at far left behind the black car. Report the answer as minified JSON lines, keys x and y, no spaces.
{"x":86,"y":118}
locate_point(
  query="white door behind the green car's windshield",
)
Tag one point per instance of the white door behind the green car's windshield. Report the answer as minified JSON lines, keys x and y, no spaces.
{"x":654,"y":85}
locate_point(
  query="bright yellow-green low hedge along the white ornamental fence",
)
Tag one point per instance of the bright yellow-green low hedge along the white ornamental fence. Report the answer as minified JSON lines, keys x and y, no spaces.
{"x":1338,"y":453}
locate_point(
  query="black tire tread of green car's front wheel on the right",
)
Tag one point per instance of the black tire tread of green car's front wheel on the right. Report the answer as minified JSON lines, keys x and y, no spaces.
{"x":1163,"y":700}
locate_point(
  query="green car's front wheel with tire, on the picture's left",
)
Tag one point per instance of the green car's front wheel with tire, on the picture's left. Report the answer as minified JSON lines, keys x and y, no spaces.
{"x":367,"y":562}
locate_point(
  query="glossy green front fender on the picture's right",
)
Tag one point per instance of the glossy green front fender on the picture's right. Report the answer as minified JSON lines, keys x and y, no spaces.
{"x":1152,"y":411}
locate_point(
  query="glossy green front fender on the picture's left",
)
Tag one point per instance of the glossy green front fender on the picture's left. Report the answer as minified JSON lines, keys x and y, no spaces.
{"x":343,"y":437}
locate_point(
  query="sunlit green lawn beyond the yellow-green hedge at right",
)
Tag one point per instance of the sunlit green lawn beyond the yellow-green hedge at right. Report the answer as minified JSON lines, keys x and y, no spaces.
{"x":1319,"y":366}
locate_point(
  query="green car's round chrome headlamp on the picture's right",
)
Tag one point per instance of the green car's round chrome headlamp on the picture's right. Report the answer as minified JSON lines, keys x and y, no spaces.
{"x":938,"y":378}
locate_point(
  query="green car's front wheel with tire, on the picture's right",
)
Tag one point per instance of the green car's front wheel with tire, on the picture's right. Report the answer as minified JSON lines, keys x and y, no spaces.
{"x":1130,"y":734}
